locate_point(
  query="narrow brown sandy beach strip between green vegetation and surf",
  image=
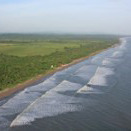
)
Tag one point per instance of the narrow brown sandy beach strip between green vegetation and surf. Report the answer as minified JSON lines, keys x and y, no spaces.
{"x":27,"y":83}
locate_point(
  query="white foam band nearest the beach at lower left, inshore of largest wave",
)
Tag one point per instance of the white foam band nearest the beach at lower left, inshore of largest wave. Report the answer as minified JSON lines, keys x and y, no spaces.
{"x":21,"y":100}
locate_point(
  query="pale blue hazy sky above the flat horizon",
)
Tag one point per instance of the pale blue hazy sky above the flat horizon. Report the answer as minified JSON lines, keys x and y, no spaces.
{"x":69,"y":16}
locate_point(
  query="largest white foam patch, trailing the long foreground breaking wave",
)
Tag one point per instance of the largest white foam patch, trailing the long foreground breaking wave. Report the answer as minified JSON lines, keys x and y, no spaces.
{"x":50,"y":104}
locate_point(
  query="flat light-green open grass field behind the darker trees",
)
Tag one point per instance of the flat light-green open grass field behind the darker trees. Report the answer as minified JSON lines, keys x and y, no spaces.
{"x":34,"y":48}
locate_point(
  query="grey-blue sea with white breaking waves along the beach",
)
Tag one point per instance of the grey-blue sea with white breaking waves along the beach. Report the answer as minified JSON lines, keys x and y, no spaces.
{"x":92,"y":95}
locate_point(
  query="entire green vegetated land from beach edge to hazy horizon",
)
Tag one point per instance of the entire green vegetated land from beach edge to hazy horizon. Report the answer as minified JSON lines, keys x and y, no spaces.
{"x":25,"y":56}
